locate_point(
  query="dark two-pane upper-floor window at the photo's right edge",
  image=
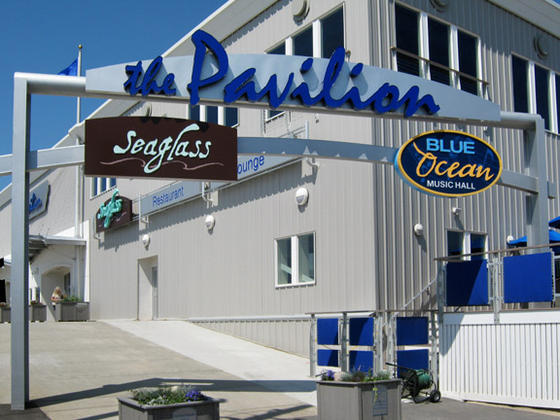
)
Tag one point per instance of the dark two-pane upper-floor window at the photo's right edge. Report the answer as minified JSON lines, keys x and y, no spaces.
{"x":536,"y":90}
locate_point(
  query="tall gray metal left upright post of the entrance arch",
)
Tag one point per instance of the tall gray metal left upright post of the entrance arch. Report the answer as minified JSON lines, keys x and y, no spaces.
{"x":20,"y":252}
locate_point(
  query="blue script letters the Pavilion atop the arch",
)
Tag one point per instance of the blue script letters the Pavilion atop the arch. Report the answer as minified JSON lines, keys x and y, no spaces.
{"x":385,"y":99}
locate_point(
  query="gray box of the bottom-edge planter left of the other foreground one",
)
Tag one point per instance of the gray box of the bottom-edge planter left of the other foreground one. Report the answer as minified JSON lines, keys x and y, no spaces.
{"x":195,"y":410}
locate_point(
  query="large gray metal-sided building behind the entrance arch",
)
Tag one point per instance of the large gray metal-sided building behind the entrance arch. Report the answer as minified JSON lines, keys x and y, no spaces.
{"x":268,"y":261}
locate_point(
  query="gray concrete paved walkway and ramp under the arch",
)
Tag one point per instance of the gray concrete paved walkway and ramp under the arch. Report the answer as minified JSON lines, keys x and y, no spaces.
{"x":78,"y":369}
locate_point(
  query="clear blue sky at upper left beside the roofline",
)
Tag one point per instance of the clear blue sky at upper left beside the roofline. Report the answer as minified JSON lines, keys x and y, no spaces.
{"x":41,"y":36}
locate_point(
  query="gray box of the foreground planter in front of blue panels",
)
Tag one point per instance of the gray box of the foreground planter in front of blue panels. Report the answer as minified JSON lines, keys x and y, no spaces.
{"x":379,"y":400}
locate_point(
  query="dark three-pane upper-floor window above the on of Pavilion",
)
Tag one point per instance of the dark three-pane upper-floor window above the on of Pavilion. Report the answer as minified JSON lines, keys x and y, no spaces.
{"x":441,"y":52}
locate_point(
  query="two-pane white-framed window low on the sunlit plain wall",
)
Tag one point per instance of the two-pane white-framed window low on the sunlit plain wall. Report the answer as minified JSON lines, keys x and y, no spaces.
{"x":295,"y":260}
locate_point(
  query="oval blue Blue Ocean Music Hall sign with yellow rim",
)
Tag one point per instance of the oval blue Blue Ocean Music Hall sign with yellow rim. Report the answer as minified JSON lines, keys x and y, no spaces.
{"x":449,"y":163}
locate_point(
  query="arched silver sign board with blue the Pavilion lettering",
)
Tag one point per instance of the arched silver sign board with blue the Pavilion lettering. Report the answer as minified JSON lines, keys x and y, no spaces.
{"x":287,"y":82}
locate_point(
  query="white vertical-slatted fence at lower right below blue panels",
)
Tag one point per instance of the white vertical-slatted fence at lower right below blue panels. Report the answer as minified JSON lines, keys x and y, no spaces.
{"x":513,"y":363}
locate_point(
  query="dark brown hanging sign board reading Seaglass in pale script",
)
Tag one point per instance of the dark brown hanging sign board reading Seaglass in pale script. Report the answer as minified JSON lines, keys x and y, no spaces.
{"x":158,"y":147}
